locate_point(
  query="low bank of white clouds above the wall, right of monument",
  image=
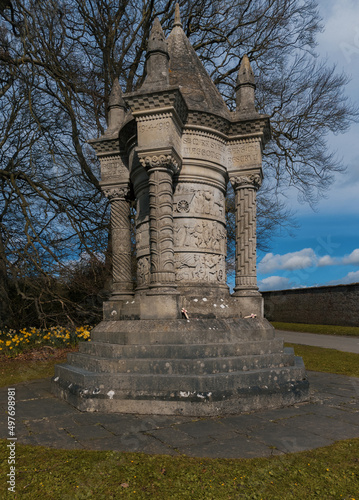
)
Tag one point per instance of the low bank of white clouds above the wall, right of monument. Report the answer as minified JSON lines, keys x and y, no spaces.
{"x":303,"y":259}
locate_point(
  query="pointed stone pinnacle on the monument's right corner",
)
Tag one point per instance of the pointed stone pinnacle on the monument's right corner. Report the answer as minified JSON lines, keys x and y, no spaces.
{"x":245,"y":88}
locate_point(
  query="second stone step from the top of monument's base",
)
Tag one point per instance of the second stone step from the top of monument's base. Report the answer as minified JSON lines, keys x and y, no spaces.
{"x":181,"y":351}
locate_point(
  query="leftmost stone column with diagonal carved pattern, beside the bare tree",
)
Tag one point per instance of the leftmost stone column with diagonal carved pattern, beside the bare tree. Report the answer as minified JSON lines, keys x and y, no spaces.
{"x":121,"y":242}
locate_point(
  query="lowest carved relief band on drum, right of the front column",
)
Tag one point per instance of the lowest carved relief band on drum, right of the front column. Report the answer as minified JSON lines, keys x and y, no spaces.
{"x":200,"y":267}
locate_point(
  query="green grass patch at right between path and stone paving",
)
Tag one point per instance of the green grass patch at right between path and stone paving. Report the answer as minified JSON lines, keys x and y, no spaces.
{"x":319,"y":359}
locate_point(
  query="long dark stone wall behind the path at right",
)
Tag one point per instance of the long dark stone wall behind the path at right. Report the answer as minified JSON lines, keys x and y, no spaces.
{"x":325,"y":305}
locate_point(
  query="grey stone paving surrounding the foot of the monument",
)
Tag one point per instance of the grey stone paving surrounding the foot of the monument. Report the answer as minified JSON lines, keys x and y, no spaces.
{"x":332,"y":414}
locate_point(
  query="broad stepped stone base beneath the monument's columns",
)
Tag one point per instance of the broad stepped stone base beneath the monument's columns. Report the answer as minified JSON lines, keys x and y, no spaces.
{"x":199,"y":367}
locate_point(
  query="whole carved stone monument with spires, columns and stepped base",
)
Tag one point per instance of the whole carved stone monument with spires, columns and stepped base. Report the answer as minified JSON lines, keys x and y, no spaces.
{"x":172,"y":147}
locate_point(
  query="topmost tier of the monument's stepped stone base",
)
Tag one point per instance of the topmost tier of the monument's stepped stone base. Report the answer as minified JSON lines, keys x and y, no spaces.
{"x":201,"y":331}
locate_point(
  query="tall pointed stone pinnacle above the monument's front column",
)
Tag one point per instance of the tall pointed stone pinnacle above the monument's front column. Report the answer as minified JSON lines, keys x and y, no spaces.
{"x":156,"y":59}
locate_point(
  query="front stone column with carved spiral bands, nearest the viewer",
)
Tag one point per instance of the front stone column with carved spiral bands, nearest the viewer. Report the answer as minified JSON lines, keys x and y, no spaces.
{"x":160,"y":169}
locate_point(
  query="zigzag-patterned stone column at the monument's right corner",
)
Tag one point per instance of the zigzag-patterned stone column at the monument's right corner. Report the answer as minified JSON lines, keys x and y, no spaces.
{"x":245,"y":188}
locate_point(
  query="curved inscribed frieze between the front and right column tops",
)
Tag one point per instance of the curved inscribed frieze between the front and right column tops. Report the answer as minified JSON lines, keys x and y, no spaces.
{"x":203,"y":147}
